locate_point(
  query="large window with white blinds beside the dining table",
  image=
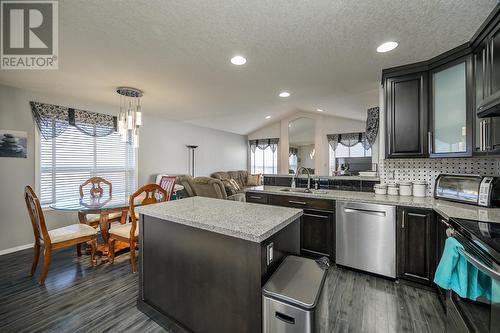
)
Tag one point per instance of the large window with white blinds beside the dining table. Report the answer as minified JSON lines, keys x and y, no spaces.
{"x":72,"y":157}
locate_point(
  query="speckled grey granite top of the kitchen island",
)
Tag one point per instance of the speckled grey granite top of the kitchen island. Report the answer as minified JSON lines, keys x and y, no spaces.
{"x":252,"y":222}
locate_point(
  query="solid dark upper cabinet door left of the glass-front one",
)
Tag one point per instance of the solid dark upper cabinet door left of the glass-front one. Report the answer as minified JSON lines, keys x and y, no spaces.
{"x":406,"y":104}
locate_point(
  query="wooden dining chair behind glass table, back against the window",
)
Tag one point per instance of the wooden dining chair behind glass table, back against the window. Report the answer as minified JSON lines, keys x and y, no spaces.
{"x":97,"y":190}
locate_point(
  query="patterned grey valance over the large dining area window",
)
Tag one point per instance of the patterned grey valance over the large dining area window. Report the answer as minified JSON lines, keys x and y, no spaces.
{"x":52,"y":120}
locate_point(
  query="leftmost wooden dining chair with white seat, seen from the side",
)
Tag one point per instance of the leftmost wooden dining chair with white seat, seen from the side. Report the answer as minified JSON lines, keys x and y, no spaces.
{"x":74,"y":234}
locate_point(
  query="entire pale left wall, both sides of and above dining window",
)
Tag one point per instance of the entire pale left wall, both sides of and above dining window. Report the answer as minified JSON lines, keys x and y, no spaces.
{"x":162,"y":149}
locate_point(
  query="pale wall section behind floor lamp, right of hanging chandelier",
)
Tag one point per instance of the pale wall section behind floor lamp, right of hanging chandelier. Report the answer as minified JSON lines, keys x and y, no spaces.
{"x":163,"y":149}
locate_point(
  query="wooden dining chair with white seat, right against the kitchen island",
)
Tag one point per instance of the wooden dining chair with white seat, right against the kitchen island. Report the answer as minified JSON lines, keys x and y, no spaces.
{"x":129,"y":233}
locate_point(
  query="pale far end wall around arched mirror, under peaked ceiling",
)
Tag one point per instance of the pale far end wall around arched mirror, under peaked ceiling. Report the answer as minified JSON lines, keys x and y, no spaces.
{"x":324,"y":124}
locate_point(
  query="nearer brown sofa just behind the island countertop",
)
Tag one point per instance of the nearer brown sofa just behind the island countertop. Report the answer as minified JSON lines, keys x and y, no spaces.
{"x":205,"y":187}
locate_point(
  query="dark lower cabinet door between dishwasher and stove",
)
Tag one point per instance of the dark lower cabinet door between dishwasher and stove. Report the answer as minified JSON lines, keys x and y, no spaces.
{"x":416,"y":245}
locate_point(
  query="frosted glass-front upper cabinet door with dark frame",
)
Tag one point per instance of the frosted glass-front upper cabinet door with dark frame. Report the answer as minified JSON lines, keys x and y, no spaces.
{"x":451,"y":113}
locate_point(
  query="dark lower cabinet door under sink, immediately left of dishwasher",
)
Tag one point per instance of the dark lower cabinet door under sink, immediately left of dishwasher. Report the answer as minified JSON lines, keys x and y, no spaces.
{"x":317,"y":234}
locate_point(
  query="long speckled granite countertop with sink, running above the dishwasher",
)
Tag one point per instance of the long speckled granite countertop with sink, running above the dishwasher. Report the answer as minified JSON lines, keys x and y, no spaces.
{"x":445,"y":208}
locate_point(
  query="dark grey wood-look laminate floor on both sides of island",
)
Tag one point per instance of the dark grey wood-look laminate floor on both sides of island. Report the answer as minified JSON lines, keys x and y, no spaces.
{"x":78,"y":298}
